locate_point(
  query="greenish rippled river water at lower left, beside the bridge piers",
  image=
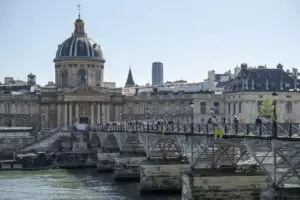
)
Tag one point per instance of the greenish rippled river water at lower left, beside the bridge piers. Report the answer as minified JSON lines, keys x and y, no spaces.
{"x":59,"y":184}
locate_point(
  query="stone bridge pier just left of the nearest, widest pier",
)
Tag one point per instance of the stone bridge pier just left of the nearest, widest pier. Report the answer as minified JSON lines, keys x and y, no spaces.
{"x":162,"y":175}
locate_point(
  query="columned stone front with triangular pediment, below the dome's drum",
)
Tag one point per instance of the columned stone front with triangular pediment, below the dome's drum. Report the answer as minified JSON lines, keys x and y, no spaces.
{"x":85,"y":104}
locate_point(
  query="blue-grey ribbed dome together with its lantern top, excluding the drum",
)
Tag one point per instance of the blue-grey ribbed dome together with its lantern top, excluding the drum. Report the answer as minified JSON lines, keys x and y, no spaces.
{"x":79,"y":45}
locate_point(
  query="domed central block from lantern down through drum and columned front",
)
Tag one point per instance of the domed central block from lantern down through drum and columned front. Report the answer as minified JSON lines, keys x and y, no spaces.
{"x":79,"y":95}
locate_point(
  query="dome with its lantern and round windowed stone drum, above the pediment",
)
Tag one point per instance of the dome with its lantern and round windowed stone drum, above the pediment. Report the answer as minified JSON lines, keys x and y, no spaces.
{"x":79,"y":60}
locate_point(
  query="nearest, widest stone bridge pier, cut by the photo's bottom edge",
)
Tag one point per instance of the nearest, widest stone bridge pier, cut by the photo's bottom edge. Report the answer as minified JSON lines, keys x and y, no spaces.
{"x":222,"y":184}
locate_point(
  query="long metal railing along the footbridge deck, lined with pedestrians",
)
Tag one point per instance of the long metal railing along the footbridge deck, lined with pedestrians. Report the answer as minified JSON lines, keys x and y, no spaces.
{"x":241,"y":129}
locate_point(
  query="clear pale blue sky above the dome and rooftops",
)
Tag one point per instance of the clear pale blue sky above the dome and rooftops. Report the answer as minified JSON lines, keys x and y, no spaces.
{"x":189,"y":37}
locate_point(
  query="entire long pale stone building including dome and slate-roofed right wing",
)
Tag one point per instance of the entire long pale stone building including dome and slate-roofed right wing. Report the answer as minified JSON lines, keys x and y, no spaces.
{"x":80,"y":95}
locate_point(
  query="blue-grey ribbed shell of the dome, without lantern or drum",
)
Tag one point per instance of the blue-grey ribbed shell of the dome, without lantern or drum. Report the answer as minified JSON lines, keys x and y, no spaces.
{"x":79,"y":47}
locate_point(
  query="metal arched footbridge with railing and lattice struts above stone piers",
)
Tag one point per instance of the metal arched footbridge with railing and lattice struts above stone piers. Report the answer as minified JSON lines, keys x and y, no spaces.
{"x":275,"y":148}
